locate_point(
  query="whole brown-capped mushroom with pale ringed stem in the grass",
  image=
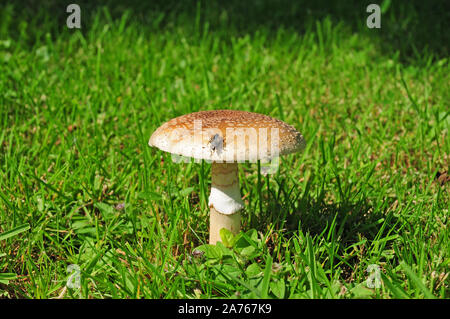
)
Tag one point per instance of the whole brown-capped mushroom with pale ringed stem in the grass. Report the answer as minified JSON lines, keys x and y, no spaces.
{"x":226,"y":138}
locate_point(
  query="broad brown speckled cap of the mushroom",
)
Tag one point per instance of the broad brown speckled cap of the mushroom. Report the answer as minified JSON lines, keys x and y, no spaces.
{"x":227,"y":136}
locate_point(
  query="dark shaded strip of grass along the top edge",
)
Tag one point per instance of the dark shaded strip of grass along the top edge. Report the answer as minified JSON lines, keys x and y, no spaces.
{"x":408,"y":28}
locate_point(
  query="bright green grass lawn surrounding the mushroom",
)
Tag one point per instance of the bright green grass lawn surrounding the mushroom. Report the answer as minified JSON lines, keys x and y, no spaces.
{"x":79,"y":185}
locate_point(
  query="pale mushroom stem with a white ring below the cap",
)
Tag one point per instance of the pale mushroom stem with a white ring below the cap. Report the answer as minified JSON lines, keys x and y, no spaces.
{"x":225,"y":200}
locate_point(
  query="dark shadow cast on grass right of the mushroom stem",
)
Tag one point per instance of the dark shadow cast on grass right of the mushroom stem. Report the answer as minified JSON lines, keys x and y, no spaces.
{"x":348,"y":220}
